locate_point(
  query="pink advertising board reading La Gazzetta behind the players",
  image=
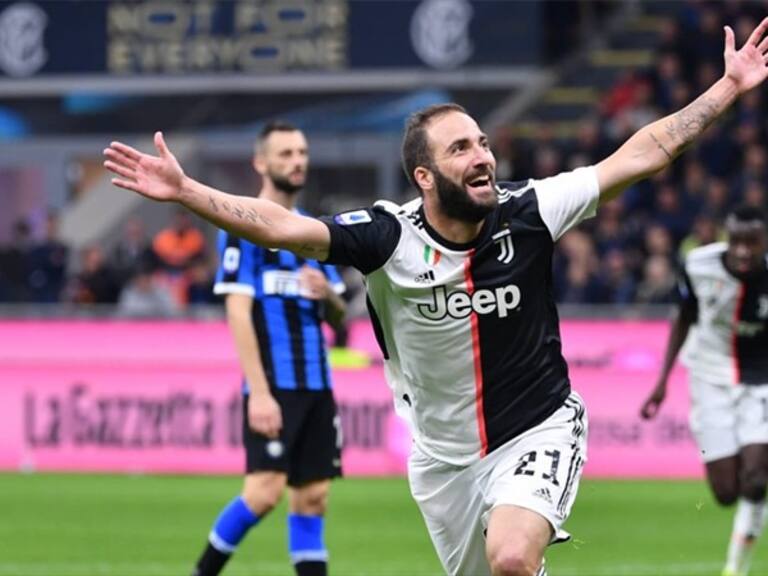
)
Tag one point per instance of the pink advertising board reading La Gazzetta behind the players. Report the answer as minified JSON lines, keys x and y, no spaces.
{"x":164,"y":397}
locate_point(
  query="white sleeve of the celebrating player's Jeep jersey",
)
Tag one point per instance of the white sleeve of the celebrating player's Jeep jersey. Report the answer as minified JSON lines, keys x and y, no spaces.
{"x":567,"y":199}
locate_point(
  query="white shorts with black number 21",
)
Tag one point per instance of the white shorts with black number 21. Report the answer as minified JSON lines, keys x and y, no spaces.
{"x":539,"y":470}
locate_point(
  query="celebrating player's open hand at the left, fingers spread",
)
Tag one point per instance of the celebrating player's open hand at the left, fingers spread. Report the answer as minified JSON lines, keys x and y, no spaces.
{"x":156,"y":177}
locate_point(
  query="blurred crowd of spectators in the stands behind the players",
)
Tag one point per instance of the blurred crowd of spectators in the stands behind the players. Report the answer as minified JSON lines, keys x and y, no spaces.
{"x":628,"y":254}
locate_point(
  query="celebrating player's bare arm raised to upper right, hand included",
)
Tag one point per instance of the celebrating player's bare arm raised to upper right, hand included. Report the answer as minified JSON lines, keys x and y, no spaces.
{"x":656,"y":145}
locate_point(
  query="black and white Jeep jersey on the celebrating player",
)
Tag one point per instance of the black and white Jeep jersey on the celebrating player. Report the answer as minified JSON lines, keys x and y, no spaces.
{"x":470,"y":331}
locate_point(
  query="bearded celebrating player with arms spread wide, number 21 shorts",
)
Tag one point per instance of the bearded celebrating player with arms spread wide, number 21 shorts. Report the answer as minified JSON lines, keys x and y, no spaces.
{"x":460,"y":295}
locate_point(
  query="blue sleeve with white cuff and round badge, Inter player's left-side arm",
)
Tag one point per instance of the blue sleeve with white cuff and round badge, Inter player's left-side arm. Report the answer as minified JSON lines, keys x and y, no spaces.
{"x":236,"y":272}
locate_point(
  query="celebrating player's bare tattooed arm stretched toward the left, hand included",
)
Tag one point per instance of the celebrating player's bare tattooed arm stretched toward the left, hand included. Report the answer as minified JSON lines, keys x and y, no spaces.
{"x":161,"y":178}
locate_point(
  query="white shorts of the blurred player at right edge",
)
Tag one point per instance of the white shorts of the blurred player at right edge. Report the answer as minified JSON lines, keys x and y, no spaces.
{"x":724,"y":419}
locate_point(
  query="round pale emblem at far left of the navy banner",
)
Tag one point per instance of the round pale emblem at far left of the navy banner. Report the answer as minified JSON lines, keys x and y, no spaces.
{"x":22,"y":52}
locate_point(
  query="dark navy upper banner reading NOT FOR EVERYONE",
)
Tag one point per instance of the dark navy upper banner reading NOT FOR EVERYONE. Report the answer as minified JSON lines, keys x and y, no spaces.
{"x":52,"y":38}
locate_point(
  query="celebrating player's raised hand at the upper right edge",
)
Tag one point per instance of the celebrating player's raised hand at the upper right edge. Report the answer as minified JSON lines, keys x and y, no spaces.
{"x":747,"y":66}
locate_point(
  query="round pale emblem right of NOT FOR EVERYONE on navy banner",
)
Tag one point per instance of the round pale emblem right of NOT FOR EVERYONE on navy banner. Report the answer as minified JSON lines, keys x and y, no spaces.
{"x":440,"y":32}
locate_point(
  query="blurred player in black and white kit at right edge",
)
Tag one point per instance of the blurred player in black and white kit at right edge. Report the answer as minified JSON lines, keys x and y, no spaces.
{"x":725,"y":298}
